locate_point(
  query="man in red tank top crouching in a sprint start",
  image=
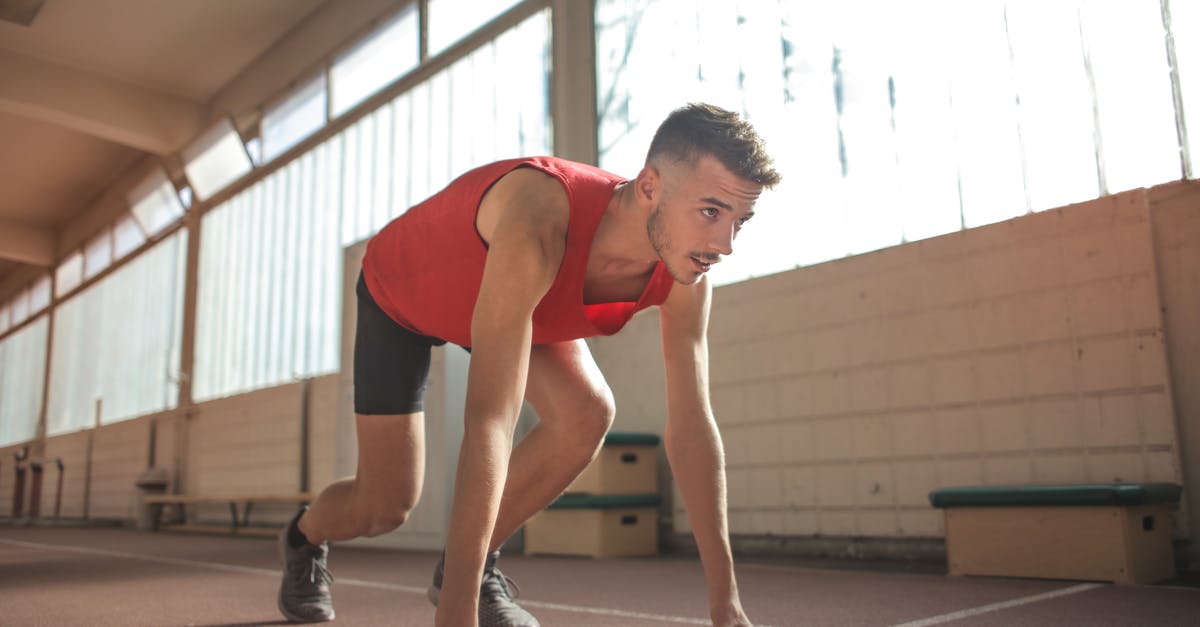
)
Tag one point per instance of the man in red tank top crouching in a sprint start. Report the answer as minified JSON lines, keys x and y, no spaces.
{"x":519,"y":261}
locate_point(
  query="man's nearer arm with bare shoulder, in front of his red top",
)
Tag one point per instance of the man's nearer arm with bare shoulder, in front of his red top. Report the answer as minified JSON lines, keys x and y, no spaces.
{"x":524,"y":218}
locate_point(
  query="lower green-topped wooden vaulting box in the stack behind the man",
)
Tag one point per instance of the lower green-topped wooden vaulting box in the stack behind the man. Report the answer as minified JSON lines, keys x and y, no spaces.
{"x":597,"y":527}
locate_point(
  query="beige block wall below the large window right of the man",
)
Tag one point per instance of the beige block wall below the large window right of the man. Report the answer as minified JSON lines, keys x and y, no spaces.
{"x":1030,"y":351}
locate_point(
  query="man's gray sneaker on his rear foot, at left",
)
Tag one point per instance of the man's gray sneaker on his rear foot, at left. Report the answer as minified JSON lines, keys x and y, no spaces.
{"x":304,"y":593}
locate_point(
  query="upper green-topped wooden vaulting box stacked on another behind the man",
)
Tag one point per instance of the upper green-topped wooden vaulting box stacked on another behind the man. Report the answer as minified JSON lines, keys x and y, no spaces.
{"x":626,"y":464}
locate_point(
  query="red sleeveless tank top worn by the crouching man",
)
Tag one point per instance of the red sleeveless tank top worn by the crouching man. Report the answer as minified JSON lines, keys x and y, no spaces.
{"x":425,"y":267}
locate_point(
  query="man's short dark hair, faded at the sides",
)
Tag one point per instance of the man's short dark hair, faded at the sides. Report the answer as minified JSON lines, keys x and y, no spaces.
{"x":699,"y":129}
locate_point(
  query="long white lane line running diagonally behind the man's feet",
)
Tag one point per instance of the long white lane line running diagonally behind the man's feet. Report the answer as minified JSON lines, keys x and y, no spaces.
{"x":359,"y":583}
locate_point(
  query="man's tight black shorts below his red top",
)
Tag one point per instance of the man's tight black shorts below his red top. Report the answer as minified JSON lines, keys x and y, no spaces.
{"x":392,"y":365}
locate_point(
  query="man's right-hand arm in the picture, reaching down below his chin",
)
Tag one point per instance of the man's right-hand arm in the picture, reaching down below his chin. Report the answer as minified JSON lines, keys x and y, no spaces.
{"x":694,"y":444}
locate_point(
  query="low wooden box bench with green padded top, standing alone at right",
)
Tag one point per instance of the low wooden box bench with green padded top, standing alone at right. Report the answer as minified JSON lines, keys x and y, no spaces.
{"x":1117,"y":533}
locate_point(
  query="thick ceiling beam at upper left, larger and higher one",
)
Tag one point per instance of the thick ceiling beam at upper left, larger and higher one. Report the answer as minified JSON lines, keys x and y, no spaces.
{"x":98,"y":106}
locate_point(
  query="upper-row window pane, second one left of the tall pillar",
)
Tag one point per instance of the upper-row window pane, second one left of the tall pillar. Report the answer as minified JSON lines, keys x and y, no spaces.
{"x":375,"y":63}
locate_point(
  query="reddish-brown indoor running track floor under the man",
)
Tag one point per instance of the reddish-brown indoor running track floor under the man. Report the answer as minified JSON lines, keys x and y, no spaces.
{"x":122,"y":577}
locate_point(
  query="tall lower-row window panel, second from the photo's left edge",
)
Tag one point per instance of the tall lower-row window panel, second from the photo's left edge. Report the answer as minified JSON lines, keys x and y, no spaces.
{"x":118,"y":342}
